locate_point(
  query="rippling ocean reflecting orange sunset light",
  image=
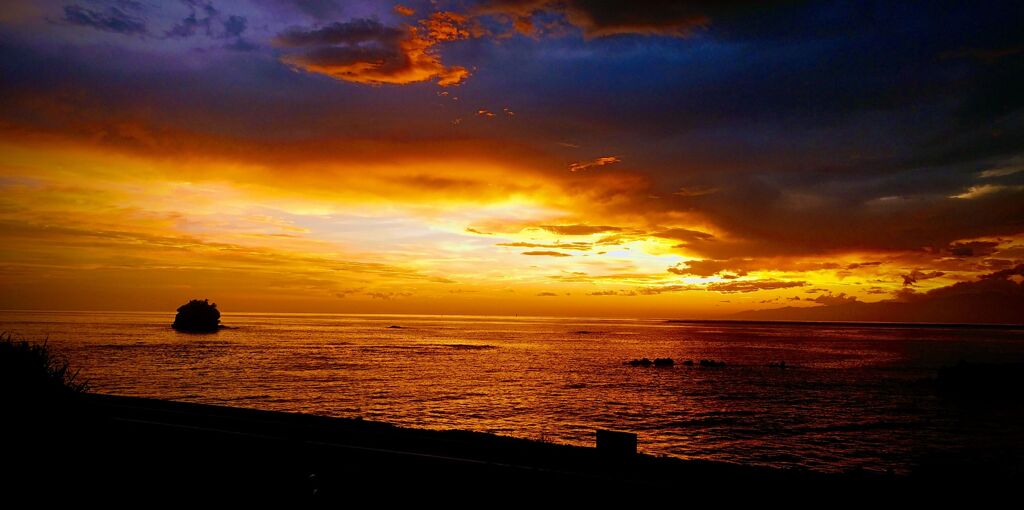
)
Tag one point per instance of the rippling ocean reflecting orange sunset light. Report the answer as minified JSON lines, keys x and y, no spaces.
{"x":850,"y":398}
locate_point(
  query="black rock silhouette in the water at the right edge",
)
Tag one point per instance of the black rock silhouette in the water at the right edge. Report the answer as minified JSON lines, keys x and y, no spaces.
{"x":983,"y":380}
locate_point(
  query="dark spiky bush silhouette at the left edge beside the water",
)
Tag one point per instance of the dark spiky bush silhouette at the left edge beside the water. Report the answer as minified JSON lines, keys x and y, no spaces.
{"x":33,"y":373}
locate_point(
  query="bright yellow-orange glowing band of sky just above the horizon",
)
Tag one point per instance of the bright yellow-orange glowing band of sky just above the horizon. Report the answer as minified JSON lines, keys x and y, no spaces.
{"x":173,"y":228}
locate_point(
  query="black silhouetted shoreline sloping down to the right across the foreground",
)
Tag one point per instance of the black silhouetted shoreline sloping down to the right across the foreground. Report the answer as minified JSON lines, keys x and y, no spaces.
{"x":152,"y":446}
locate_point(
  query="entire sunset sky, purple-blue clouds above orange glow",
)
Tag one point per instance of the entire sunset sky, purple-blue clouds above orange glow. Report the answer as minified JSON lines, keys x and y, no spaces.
{"x":690,"y":160}
